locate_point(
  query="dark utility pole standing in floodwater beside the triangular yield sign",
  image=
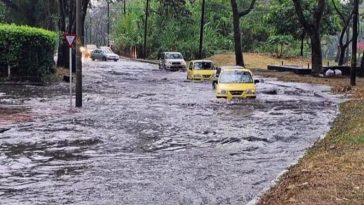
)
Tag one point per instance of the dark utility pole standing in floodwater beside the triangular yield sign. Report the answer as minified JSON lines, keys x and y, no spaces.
{"x":78,"y":54}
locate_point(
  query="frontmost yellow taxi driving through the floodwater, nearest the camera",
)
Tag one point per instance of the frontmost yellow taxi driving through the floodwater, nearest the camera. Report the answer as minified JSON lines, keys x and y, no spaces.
{"x":235,"y":82}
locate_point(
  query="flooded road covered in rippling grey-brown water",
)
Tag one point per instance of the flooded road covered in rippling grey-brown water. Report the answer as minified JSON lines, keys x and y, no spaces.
{"x":146,"y":136}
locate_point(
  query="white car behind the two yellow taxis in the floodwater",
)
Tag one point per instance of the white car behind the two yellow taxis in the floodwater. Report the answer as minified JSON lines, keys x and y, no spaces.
{"x":172,"y":61}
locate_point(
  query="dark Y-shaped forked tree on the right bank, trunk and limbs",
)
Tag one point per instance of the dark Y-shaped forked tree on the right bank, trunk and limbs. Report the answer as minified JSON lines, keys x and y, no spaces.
{"x":312,"y":26}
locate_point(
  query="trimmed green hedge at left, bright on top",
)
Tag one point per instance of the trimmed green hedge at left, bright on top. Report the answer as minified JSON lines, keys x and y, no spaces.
{"x":29,"y":51}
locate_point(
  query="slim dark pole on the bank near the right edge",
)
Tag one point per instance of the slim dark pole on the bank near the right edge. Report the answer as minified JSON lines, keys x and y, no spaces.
{"x":354,"y":43}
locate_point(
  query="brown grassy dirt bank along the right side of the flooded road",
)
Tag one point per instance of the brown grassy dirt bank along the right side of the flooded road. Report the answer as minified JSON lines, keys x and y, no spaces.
{"x":332,"y":171}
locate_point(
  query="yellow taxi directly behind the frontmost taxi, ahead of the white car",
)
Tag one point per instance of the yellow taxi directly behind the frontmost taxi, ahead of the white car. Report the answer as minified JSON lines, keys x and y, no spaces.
{"x":201,"y":70}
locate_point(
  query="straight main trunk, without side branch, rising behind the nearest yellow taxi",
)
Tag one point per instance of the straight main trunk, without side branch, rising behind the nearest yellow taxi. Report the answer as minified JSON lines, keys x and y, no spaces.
{"x":237,"y":34}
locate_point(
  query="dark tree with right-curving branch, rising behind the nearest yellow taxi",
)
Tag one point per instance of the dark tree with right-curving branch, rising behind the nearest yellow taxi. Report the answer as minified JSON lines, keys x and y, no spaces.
{"x":237,"y":32}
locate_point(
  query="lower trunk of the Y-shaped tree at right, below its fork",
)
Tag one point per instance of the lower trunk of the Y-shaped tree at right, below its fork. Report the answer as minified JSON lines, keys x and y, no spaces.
{"x":316,"y":53}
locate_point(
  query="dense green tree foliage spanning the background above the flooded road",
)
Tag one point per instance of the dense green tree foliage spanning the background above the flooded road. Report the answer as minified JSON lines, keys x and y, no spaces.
{"x":271,"y":26}
